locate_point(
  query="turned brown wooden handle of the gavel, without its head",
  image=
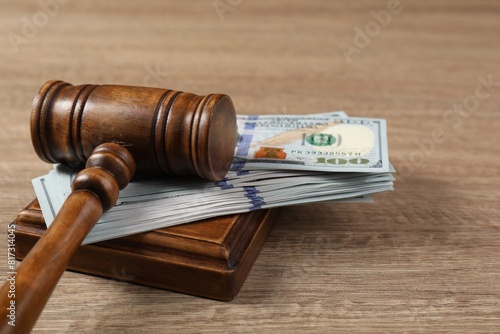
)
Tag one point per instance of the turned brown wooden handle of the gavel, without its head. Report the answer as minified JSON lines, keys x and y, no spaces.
{"x":95,"y":190}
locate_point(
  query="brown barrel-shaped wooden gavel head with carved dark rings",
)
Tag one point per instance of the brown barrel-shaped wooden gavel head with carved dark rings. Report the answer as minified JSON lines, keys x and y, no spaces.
{"x":168,"y":132}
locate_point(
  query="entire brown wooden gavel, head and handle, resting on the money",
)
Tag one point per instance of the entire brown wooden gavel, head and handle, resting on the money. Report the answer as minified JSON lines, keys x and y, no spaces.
{"x":113,"y":131}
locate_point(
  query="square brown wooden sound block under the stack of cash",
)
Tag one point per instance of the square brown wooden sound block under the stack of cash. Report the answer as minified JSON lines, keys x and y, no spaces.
{"x":209,"y":258}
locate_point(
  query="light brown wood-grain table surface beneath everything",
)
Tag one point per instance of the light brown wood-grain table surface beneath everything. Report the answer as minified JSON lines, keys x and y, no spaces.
{"x":423,"y":258}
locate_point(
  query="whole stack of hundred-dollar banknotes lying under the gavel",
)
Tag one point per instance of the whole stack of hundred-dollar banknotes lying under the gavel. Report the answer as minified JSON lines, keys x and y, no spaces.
{"x":279,"y":160}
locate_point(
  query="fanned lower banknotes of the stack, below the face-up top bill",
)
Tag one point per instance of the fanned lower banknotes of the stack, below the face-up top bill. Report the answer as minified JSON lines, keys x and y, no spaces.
{"x":150,"y":204}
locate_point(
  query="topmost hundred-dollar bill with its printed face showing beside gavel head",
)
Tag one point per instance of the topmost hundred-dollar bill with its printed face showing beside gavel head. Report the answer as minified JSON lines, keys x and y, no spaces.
{"x":312,"y":142}
